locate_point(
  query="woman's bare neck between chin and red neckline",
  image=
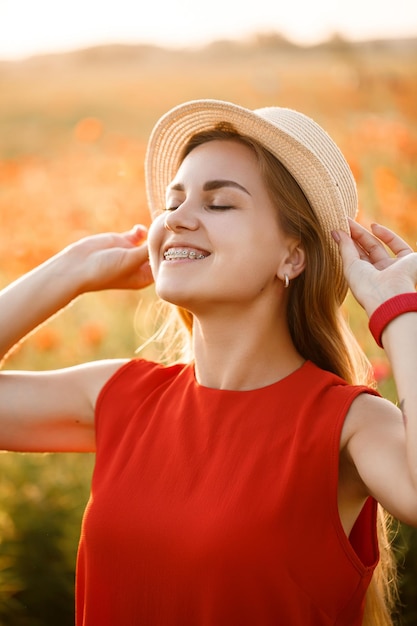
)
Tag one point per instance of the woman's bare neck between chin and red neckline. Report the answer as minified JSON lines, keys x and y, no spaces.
{"x":241,"y":352}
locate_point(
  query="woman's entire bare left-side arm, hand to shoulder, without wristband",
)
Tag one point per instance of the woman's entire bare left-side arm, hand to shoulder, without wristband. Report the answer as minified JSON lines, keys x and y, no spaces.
{"x":54,"y":411}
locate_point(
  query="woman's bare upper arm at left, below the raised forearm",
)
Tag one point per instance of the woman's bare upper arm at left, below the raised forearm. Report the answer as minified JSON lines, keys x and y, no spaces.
{"x":52,"y":411}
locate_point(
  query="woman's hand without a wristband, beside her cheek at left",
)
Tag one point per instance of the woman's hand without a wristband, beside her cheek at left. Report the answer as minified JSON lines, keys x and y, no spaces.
{"x":111,"y":260}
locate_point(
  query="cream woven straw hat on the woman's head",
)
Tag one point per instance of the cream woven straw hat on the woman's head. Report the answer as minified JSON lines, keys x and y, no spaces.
{"x":302,"y":146}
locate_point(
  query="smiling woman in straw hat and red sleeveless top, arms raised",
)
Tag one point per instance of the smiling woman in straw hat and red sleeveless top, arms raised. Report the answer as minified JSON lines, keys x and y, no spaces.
{"x":241,"y":487}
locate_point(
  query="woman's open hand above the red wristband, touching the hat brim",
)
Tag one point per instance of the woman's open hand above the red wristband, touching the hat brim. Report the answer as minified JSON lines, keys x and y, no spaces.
{"x":377,"y":264}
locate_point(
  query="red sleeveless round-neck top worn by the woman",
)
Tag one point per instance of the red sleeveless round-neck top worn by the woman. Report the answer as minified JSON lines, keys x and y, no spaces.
{"x":219,"y":508}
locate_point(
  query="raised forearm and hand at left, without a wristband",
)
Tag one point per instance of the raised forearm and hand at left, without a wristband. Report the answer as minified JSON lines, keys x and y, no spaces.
{"x":98,"y":262}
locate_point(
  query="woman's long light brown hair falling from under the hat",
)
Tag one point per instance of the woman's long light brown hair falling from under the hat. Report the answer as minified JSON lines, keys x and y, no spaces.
{"x":317,"y":325}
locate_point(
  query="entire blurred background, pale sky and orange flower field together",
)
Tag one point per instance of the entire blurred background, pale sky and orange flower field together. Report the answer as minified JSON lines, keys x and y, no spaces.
{"x":81,"y":85}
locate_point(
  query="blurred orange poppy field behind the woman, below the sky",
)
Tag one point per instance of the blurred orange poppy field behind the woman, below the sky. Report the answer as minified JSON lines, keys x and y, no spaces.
{"x":73,"y":132}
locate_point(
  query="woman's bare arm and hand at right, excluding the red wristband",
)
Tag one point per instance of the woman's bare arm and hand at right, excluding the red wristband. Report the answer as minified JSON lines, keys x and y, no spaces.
{"x":382,"y":438}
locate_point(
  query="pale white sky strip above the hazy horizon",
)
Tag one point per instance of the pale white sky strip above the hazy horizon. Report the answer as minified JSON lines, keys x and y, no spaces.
{"x":29,"y":27}
